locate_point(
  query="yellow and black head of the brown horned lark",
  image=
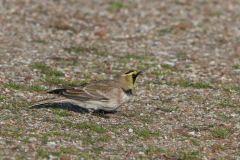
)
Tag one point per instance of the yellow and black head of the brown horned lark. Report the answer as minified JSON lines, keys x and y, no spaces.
{"x":127,"y":78}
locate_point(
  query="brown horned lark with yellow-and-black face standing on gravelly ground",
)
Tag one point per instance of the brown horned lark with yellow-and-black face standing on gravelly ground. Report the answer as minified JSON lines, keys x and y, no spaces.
{"x":107,"y":95}
